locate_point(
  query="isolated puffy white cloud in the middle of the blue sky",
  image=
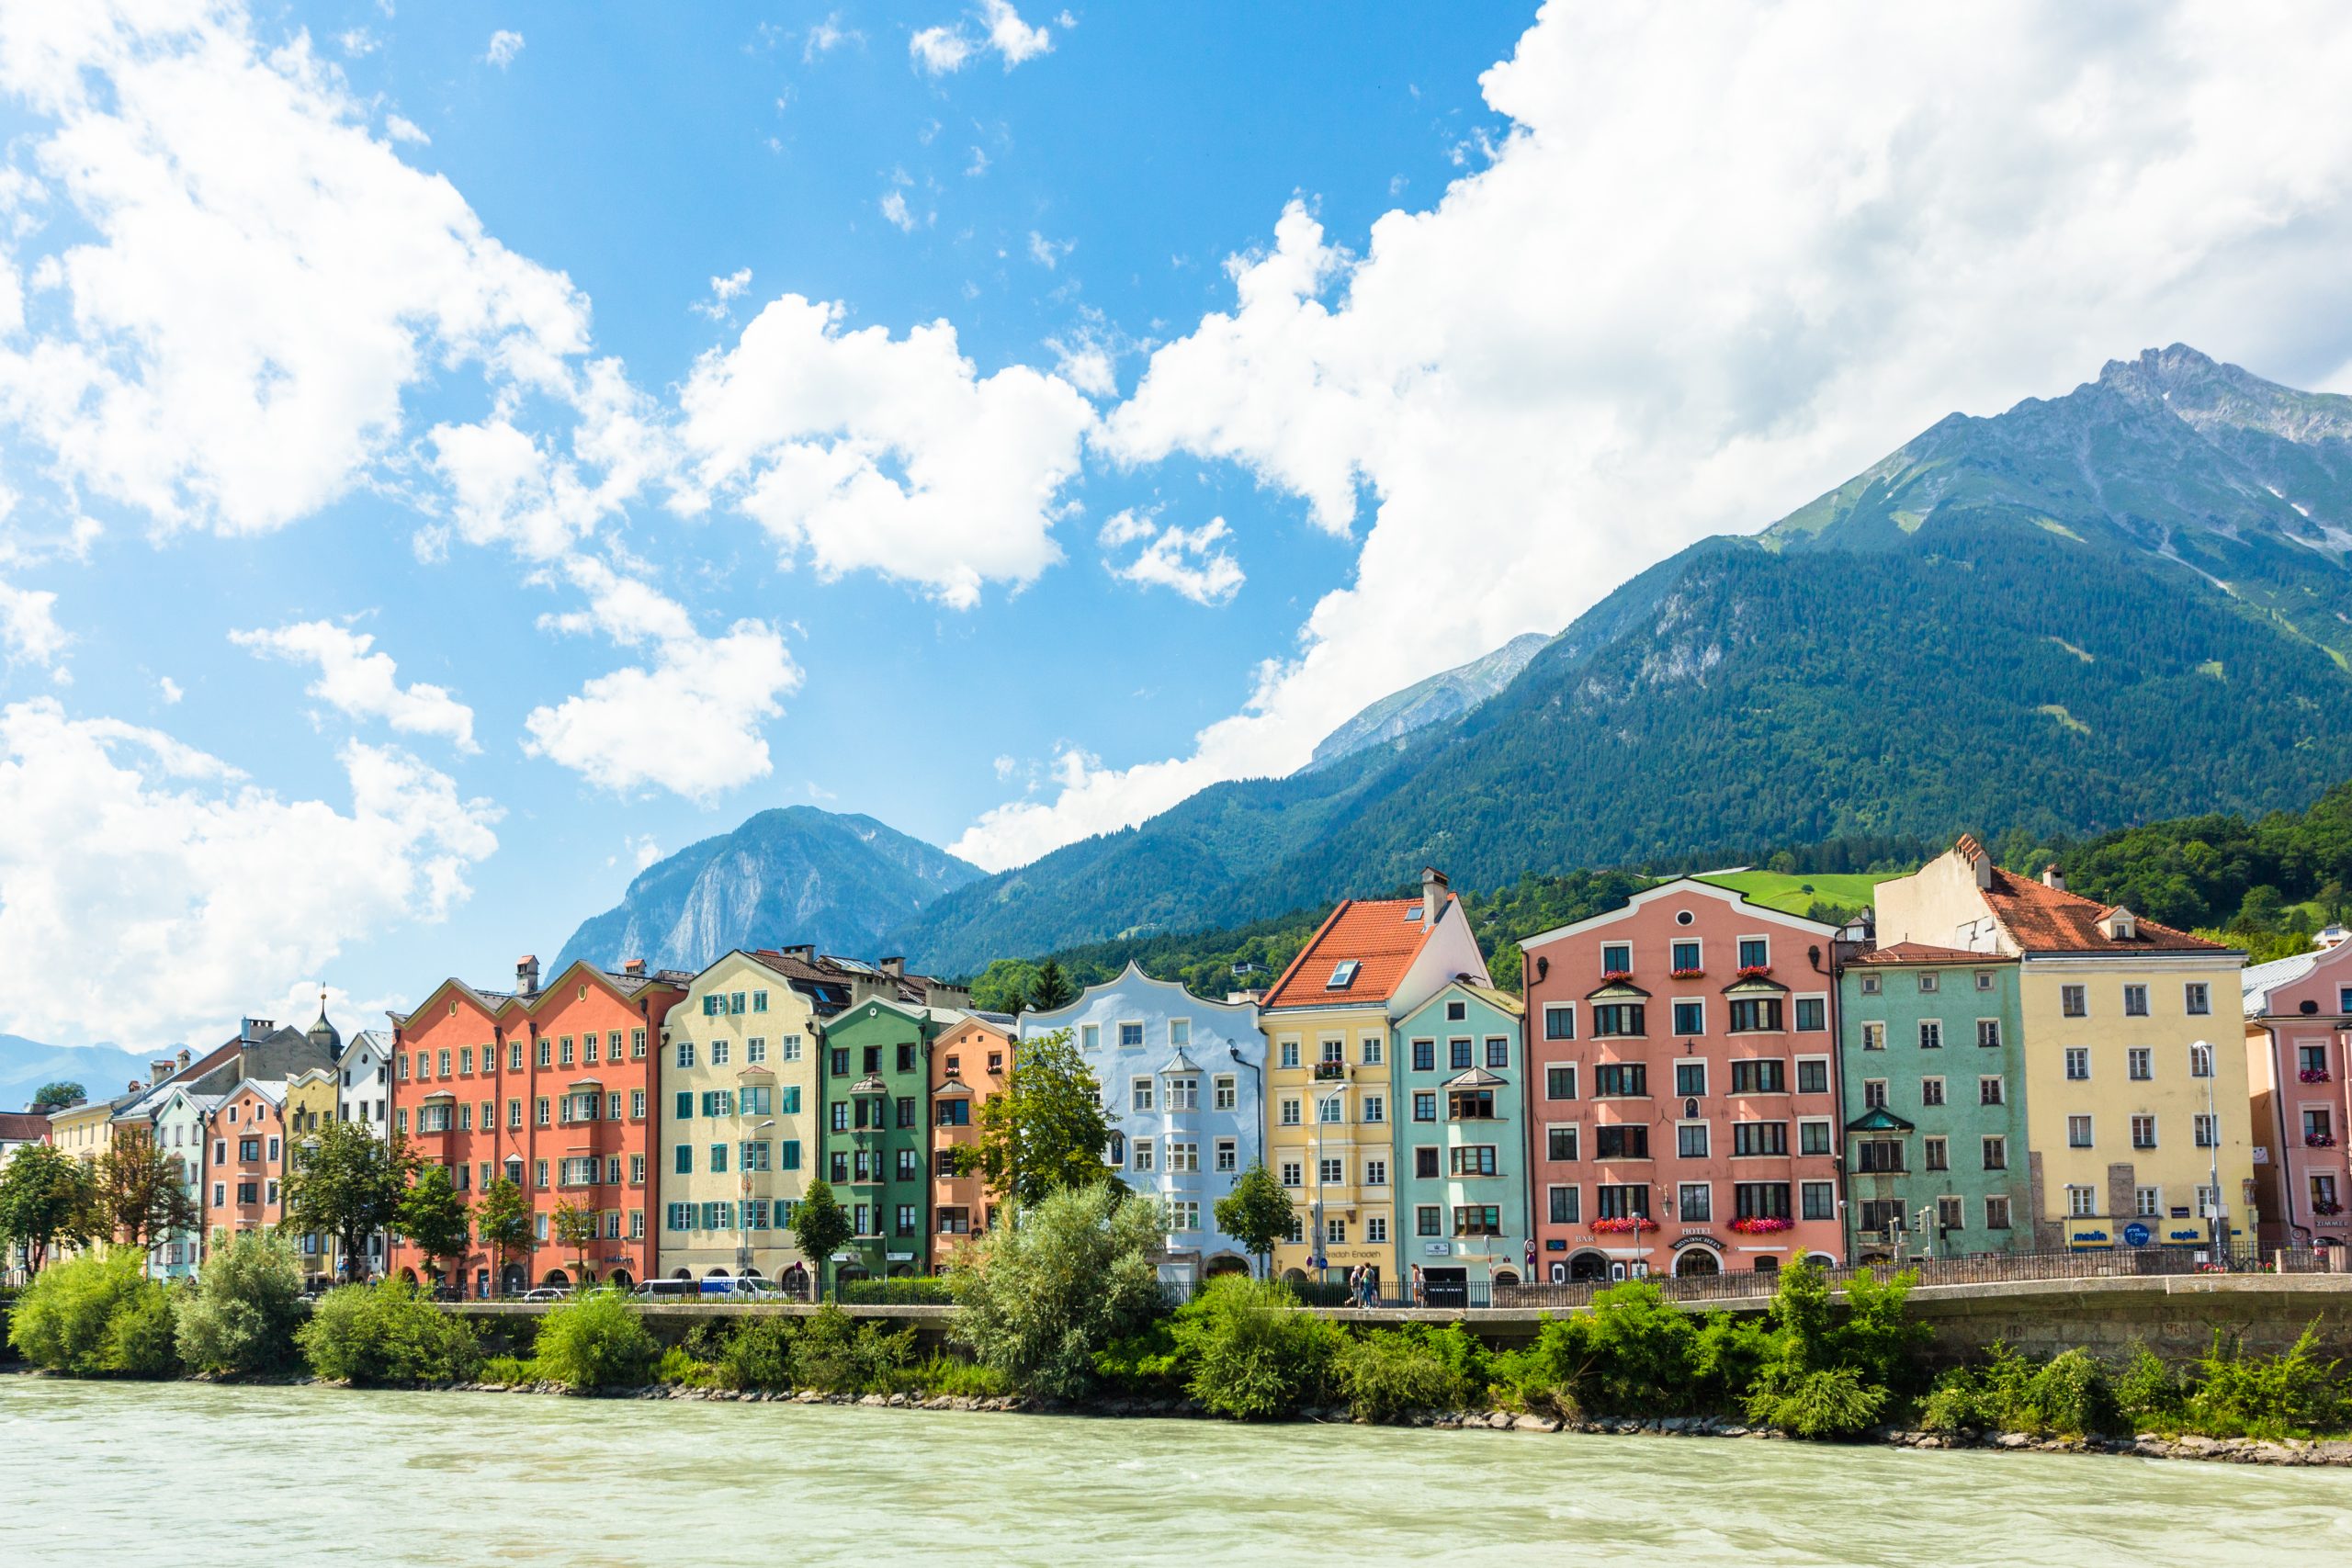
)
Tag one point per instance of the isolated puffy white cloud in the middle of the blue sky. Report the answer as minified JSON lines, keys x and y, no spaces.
{"x":869,"y":453}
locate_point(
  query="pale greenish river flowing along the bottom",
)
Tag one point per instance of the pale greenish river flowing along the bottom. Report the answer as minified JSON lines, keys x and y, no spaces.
{"x":211,"y":1477}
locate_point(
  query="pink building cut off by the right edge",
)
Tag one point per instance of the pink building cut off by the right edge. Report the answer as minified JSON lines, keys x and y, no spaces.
{"x":2299,"y":1045}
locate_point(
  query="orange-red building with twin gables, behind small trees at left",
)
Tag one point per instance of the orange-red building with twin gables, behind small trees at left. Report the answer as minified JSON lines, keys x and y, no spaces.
{"x":554,"y":1090}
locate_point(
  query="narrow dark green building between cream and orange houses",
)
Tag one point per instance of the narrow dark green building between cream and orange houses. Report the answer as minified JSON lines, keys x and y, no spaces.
{"x":876,"y":1090}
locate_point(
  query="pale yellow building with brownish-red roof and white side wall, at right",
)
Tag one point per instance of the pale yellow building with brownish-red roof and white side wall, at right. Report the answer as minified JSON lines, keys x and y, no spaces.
{"x":2137,"y":1104}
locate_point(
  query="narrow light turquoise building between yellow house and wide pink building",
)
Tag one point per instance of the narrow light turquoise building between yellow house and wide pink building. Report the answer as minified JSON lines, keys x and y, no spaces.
{"x":1459,"y":1064}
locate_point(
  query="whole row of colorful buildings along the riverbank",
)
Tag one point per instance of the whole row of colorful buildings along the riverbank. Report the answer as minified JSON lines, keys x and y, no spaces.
{"x":1688,"y":1085}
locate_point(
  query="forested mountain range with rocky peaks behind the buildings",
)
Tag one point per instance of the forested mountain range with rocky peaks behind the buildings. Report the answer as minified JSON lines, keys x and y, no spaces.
{"x":2085,"y":612}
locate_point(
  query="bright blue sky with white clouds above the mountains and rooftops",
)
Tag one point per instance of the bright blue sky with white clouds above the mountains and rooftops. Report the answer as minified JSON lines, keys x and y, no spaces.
{"x":594,"y":366}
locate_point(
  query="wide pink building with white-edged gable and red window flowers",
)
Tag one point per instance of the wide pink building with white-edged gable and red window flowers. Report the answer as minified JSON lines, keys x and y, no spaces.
{"x":1683,"y":1087}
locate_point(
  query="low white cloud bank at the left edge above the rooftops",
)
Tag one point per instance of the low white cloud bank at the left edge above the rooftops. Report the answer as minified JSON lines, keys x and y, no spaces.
{"x":178,"y":894}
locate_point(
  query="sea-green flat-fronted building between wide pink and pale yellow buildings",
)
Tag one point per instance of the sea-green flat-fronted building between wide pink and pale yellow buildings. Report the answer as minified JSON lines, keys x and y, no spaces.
{"x":1932,"y":1061}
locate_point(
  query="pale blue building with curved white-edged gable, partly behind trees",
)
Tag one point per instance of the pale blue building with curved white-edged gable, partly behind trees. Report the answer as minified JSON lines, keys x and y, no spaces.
{"x":1182,"y":1085}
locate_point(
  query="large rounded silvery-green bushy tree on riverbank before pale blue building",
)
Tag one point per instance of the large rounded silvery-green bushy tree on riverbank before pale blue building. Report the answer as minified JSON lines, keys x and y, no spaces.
{"x":1043,"y":1296}
